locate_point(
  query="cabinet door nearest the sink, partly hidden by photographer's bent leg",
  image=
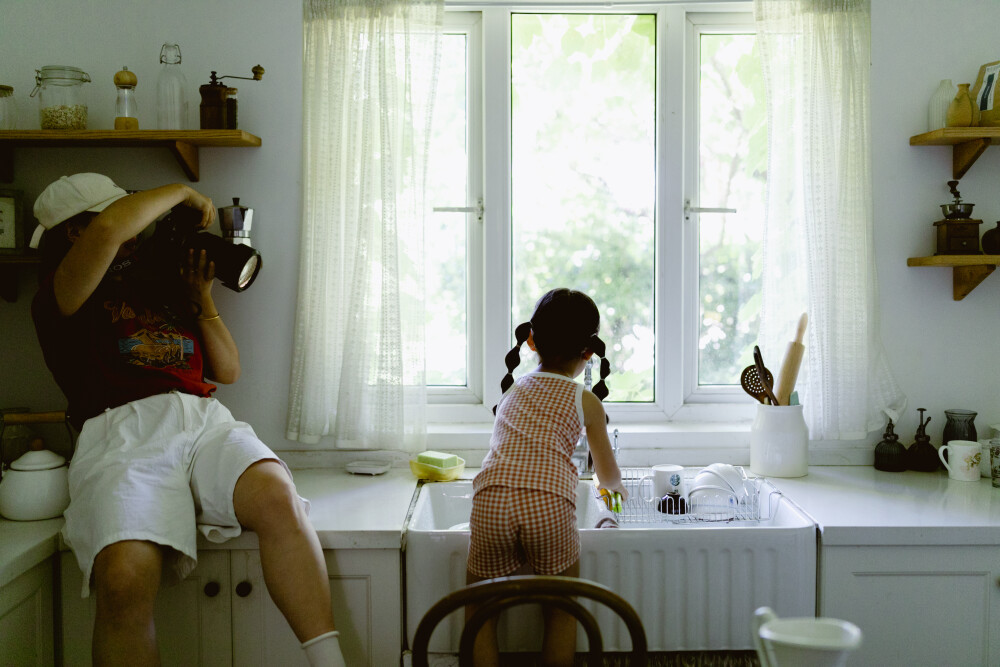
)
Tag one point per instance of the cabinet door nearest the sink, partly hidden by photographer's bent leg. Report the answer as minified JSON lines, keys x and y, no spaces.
{"x":365,"y":594}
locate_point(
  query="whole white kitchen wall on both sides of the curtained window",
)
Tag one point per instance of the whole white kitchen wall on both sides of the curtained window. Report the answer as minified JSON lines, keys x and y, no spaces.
{"x":940,"y":350}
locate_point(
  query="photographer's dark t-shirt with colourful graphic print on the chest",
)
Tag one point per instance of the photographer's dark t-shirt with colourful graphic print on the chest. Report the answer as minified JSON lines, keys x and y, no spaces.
{"x":116,"y":349}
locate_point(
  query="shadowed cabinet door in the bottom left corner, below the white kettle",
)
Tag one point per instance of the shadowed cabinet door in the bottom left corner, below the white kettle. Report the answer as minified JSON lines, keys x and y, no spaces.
{"x":26,"y":629}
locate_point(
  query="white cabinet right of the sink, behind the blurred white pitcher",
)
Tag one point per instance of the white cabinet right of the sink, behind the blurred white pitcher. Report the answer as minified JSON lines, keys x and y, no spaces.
{"x":916,"y":605}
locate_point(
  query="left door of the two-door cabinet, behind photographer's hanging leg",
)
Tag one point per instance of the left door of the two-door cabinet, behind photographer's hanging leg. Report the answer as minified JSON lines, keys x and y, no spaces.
{"x":192,"y":617}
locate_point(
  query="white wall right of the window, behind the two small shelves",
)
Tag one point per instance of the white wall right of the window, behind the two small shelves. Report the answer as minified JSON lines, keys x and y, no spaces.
{"x":940,"y":350}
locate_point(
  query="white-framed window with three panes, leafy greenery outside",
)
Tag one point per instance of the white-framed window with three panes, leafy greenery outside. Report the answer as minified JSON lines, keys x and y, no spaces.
{"x":576,"y":148}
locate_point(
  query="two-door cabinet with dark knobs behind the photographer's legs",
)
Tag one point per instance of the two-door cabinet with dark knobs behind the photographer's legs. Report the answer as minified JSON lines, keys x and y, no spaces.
{"x":221,"y":614}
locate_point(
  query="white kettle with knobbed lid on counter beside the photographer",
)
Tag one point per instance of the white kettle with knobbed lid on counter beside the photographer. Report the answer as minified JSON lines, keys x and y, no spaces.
{"x":36,"y":486}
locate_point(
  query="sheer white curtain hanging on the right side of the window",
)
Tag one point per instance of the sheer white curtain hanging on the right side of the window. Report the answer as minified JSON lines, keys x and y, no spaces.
{"x":818,"y":254}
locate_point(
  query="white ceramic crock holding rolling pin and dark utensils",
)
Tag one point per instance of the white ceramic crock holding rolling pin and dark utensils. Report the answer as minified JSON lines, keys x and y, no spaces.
{"x":779,"y":442}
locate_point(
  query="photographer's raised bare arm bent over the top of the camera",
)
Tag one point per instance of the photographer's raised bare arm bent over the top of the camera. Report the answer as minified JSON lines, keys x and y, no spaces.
{"x":93,"y":251}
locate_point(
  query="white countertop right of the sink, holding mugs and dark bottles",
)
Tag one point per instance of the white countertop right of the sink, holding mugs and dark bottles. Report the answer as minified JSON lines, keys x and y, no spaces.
{"x":858,"y":505}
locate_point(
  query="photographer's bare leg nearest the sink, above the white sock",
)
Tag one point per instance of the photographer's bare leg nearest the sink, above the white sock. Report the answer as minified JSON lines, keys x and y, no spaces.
{"x":290,"y":554}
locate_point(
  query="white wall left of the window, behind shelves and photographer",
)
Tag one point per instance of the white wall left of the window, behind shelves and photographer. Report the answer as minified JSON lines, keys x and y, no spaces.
{"x":100,"y":36}
